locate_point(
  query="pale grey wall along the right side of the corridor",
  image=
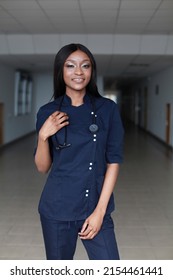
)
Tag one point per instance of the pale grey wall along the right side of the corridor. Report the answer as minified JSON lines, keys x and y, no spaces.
{"x":156,"y":116}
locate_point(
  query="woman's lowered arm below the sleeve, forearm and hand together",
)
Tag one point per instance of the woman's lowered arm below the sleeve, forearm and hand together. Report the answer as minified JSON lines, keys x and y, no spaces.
{"x":93,"y":223}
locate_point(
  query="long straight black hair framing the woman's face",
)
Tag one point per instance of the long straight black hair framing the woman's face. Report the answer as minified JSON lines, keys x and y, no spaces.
{"x":60,"y":58}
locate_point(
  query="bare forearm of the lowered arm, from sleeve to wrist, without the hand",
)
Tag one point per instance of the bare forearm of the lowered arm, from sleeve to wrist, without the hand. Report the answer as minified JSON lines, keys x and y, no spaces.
{"x":108,"y":187}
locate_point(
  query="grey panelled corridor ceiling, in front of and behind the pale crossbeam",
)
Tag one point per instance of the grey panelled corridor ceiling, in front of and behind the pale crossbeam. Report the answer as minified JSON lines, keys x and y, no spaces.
{"x":142,"y":17}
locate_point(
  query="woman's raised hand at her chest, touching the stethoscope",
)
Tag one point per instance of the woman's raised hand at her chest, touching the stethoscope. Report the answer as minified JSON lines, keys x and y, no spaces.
{"x":54,"y":123}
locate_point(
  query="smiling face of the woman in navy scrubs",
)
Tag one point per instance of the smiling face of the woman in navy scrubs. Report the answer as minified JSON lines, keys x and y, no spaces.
{"x":77,"y":72}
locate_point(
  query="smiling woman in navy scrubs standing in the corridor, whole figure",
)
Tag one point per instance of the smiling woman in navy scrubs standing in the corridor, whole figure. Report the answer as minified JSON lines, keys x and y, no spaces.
{"x":80,"y":141}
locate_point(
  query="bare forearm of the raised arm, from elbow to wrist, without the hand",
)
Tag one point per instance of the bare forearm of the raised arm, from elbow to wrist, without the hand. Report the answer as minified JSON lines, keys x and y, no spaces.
{"x":43,"y":159}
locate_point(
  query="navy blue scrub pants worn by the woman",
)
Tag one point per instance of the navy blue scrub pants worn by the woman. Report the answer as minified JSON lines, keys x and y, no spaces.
{"x":60,"y":240}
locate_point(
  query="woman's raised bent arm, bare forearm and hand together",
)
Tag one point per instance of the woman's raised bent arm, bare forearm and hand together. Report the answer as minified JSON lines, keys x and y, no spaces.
{"x":53,"y":124}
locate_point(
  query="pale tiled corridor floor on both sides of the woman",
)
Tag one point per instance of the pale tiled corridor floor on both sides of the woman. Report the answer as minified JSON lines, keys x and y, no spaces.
{"x":144,"y":201}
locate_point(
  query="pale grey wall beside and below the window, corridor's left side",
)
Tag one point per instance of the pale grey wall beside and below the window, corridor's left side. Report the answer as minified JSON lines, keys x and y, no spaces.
{"x":14,"y":126}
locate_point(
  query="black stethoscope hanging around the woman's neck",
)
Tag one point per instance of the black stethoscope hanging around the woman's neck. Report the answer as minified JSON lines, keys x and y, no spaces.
{"x":93,"y":128}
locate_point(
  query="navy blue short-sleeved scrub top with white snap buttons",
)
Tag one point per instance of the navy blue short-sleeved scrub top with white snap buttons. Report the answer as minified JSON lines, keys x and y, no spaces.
{"x":76,"y":177}
